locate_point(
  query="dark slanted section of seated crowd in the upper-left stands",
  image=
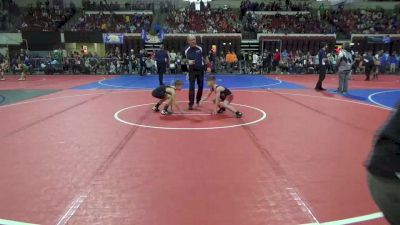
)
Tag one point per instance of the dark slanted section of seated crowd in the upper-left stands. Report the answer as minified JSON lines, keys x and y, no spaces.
{"x":44,"y":17}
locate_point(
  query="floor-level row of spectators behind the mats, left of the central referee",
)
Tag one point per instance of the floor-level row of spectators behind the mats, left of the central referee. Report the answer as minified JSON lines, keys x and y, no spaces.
{"x":80,"y":62}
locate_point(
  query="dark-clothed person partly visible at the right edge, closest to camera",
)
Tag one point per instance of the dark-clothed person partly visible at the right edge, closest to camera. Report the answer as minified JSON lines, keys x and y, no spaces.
{"x":383,"y":168}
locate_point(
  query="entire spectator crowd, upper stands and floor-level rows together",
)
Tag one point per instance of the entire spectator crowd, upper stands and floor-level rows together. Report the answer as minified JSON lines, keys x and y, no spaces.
{"x":45,"y":16}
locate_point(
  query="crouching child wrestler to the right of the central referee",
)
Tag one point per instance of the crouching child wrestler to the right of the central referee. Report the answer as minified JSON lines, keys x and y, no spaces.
{"x":223,"y":97}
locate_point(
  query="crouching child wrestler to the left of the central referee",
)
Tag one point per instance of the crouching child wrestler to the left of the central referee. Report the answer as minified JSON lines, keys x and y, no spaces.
{"x":167,"y":95}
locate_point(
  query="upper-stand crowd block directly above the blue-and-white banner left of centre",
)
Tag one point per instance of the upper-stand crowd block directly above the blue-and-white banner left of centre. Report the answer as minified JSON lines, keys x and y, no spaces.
{"x":113,"y":23}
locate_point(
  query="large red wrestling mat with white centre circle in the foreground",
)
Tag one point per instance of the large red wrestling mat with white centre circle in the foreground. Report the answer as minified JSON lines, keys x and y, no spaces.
{"x":67,"y":158}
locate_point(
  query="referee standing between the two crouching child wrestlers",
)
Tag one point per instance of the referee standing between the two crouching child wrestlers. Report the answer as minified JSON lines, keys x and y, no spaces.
{"x":195,"y":56}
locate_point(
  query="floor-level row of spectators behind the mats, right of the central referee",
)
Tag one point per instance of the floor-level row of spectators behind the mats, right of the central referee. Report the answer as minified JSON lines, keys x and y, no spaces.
{"x":297,"y":62}
